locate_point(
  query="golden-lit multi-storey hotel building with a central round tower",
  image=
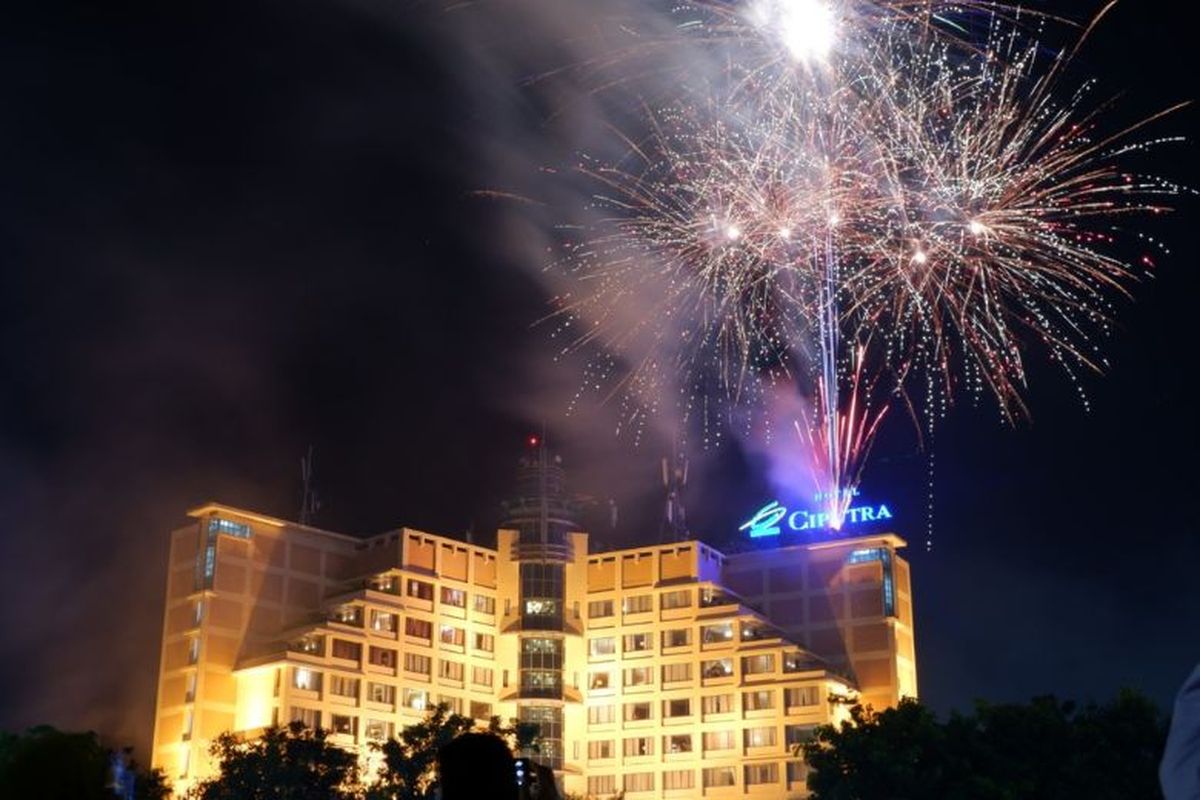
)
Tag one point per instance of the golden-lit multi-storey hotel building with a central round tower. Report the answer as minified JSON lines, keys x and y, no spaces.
{"x":664,"y":671}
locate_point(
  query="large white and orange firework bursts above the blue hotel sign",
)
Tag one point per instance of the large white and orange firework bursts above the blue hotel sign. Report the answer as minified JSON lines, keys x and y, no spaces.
{"x":865,"y":199}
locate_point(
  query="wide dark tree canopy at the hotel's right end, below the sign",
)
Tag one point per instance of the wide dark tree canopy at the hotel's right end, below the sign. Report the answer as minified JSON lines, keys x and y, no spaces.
{"x":1043,"y":750}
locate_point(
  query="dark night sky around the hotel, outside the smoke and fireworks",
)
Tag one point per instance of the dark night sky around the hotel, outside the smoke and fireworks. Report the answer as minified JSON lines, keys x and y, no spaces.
{"x":233,"y":230}
